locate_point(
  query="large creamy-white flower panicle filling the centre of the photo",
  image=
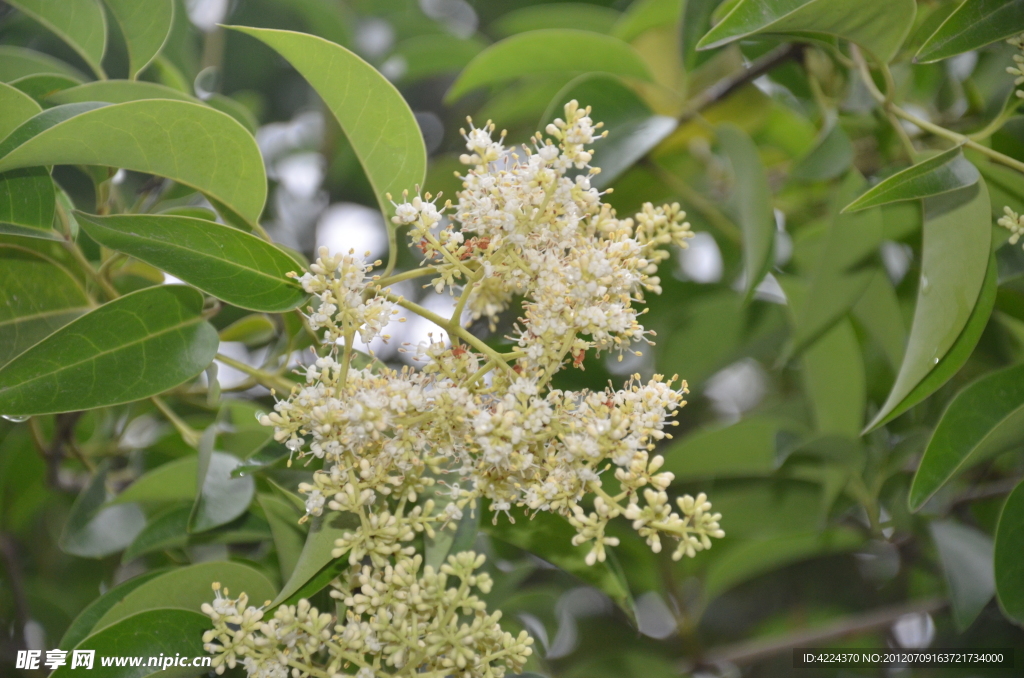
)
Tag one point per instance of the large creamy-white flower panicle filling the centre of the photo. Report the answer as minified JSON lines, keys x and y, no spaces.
{"x":478,"y":428}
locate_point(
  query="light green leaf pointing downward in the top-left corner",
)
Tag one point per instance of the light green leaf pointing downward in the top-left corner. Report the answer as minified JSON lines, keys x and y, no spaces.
{"x":79,"y":23}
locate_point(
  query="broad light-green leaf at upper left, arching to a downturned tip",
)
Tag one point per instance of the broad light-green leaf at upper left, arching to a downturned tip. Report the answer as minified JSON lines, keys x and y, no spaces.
{"x":189,"y":143}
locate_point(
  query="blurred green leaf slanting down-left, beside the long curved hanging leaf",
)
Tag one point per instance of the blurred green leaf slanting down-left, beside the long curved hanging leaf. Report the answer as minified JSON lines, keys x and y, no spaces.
{"x":841,"y":274}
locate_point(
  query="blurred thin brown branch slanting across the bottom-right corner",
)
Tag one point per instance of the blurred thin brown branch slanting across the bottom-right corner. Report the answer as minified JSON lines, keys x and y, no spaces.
{"x":756,"y":651}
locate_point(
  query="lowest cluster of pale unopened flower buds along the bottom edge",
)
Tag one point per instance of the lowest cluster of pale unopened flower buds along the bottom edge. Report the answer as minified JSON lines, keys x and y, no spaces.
{"x":398,"y":622}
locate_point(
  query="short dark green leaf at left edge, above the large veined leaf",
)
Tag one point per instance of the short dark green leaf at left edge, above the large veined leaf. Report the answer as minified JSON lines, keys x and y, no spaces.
{"x":37,"y":298}
